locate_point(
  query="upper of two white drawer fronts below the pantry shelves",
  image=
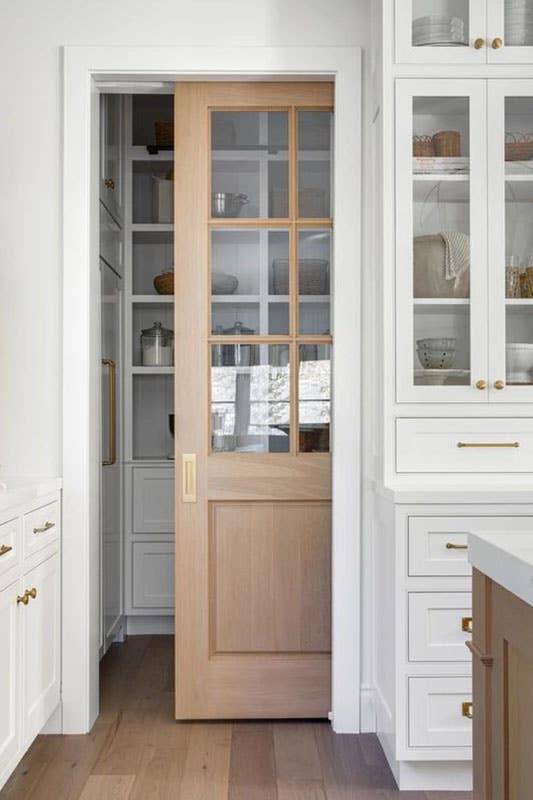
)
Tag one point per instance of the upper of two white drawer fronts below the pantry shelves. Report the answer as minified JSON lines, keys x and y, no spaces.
{"x":153,"y":500}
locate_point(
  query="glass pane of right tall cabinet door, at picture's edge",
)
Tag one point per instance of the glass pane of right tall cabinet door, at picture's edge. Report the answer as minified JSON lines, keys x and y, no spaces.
{"x":519,"y":239}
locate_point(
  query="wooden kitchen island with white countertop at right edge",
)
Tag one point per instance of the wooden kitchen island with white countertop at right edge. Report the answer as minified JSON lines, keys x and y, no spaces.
{"x":502,"y":649}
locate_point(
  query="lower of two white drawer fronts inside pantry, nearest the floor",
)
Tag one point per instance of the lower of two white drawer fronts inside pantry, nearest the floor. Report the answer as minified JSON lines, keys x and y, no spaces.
{"x":153,"y":575}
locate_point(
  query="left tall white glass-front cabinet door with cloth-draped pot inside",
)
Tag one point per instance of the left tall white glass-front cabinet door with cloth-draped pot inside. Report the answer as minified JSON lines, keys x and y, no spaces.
{"x":441,"y":235}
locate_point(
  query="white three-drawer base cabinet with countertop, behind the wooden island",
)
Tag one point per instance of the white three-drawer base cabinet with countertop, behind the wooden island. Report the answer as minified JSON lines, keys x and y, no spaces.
{"x":423,"y":621}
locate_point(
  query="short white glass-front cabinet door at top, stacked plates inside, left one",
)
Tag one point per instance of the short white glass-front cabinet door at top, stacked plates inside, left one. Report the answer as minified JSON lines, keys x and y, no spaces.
{"x":441,"y":31}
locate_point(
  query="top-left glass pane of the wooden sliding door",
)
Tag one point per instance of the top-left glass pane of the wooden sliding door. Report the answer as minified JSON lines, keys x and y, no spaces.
{"x":249,"y":164}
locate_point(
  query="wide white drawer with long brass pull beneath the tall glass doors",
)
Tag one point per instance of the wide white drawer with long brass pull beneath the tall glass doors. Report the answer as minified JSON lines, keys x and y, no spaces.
{"x":438,"y":445}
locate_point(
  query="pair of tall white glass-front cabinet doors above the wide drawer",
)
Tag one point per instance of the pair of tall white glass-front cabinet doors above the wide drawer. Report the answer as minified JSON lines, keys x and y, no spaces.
{"x":464,"y":242}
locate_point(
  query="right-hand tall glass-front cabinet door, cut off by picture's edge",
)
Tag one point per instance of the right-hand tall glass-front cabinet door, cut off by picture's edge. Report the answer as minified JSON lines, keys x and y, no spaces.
{"x":510,"y":124}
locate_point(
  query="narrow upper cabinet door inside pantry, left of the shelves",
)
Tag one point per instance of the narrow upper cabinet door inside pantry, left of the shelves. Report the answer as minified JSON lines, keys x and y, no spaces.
{"x":111,"y":168}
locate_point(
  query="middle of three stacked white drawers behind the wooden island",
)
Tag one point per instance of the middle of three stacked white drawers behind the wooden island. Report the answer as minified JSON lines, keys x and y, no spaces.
{"x":435,"y":626}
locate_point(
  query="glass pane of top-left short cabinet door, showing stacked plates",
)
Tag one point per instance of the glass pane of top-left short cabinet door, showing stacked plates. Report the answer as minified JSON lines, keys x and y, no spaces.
{"x":440,"y":23}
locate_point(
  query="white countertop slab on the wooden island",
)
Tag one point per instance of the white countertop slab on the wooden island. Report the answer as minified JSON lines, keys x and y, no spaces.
{"x":506,"y":558}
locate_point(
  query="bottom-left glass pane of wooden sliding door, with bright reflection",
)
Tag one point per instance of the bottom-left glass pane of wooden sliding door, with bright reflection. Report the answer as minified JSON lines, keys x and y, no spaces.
{"x":250,"y":398}
